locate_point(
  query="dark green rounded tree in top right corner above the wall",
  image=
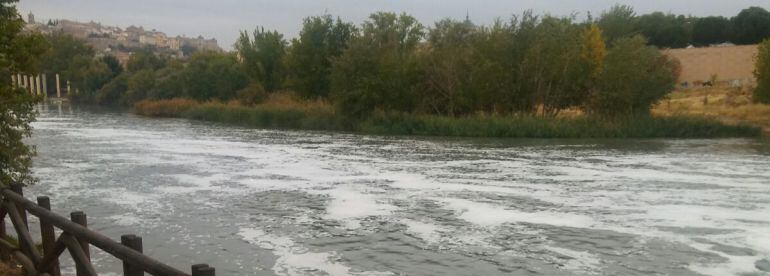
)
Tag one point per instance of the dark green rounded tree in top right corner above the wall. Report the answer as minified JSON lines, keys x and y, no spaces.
{"x":751,"y":25}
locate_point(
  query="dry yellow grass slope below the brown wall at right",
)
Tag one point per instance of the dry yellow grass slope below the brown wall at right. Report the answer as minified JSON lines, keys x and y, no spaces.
{"x":729,"y":105}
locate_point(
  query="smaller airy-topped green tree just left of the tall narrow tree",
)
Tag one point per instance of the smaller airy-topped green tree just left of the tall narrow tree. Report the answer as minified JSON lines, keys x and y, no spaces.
{"x":262,"y":56}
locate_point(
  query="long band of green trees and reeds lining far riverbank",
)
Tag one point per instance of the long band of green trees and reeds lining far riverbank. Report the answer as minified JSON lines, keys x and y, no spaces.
{"x":528,"y":76}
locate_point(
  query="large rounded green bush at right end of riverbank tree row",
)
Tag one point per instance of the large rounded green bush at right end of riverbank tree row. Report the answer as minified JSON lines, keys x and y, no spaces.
{"x":635,"y":77}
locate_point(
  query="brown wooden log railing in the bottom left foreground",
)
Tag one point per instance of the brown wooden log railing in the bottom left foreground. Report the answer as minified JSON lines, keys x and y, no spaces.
{"x":75,"y":237}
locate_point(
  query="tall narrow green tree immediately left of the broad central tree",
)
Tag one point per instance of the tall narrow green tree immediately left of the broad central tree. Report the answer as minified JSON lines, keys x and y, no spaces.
{"x":309,"y":60}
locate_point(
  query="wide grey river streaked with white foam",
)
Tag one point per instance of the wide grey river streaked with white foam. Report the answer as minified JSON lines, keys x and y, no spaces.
{"x":272,"y":202}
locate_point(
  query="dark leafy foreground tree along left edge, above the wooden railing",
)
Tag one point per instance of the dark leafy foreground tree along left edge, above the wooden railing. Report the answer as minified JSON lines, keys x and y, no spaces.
{"x":19,"y":53}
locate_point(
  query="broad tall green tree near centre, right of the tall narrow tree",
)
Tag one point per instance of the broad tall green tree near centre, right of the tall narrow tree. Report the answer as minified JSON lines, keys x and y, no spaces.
{"x":380,"y":69}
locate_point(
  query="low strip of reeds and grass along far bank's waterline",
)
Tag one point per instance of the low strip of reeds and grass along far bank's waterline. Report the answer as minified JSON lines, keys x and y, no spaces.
{"x":284,"y":113}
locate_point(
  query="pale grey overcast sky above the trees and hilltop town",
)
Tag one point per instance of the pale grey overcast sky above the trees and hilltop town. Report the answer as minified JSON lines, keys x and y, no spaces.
{"x":222,"y":19}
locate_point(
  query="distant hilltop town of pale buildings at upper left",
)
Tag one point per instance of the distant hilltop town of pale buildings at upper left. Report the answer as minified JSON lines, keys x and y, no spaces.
{"x":121,"y":42}
